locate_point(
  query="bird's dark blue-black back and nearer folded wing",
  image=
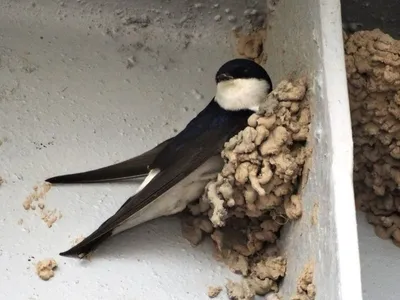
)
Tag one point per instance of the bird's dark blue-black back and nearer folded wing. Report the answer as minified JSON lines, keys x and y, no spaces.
{"x":202,"y":138}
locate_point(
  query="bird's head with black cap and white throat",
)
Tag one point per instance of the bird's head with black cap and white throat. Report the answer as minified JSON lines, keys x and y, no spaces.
{"x":242,"y":84}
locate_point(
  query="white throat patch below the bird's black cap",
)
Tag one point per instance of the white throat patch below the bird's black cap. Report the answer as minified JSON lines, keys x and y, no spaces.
{"x":237,"y":94}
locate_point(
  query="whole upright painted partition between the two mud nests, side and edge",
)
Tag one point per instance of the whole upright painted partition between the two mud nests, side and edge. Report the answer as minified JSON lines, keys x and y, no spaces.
{"x":306,"y":40}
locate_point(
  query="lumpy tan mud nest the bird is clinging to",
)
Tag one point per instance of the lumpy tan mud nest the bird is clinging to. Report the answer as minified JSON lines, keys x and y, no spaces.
{"x":257,"y":192}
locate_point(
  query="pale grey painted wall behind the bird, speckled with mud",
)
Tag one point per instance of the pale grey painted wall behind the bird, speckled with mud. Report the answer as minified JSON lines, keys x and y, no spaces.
{"x":68,"y":102}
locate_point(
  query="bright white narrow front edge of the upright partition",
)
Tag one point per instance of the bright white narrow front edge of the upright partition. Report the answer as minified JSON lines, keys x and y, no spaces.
{"x":334,"y":90}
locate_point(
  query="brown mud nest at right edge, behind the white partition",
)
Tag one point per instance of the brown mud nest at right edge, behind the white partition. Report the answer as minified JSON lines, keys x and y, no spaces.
{"x":373,"y":73}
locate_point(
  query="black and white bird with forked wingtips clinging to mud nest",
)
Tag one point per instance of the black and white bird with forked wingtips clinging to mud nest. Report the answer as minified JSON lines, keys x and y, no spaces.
{"x":177,"y":170}
